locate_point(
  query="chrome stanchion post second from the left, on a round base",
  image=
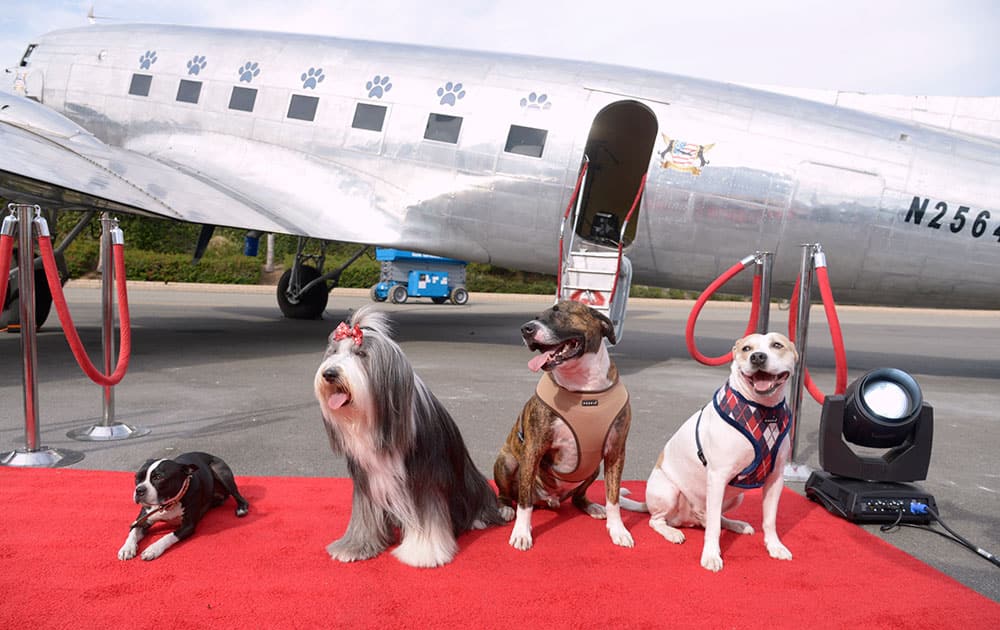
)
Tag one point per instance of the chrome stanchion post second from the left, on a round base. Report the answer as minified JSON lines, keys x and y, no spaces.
{"x":108,"y":429}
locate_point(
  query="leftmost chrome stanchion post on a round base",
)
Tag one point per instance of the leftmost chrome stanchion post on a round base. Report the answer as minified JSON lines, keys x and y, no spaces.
{"x":33,"y":454}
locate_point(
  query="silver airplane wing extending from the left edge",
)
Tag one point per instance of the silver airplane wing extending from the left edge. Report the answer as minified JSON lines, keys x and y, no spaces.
{"x":47,"y":159}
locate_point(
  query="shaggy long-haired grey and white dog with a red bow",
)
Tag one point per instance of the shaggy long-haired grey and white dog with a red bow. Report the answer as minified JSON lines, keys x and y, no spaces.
{"x":406,"y":456}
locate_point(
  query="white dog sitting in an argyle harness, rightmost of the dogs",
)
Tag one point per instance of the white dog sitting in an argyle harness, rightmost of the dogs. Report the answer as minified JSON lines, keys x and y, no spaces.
{"x":736,"y":441}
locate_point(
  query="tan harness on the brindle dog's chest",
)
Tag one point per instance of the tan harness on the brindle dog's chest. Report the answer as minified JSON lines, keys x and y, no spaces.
{"x":589,"y":416}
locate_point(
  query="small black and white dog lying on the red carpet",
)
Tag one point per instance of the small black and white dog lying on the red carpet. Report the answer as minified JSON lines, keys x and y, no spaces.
{"x":179,"y":492}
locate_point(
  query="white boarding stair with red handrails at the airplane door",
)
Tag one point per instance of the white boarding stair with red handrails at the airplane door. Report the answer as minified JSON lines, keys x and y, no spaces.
{"x":597,"y":274}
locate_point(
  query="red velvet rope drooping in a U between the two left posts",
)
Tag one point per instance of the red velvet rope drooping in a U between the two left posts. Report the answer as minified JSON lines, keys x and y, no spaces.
{"x":72,"y":337}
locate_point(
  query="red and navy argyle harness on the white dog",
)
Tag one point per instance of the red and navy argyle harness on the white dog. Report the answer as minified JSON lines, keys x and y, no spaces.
{"x":765,"y":427}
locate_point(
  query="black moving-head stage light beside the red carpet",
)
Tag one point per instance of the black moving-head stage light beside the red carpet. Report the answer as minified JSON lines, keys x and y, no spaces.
{"x":884,"y":409}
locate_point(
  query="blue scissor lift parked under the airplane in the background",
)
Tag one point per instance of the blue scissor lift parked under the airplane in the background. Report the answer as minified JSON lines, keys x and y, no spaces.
{"x":410,"y":274}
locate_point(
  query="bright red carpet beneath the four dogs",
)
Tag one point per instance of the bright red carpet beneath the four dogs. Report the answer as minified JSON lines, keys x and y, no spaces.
{"x":60,"y":531}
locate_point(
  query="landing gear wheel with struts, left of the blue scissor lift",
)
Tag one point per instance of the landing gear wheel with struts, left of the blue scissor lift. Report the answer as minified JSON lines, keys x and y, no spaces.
{"x":304,"y":290}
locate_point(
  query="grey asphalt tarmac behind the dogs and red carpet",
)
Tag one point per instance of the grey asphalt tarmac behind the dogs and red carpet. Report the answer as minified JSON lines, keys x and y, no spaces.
{"x":218,"y":369}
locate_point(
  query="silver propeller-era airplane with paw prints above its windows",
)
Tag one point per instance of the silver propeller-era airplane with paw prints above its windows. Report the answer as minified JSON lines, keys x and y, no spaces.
{"x":477,"y":156}
